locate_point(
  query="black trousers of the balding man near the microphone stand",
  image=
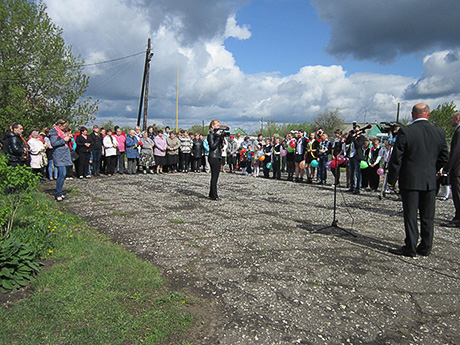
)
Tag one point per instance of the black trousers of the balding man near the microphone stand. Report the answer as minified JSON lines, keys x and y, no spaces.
{"x":424,"y":203}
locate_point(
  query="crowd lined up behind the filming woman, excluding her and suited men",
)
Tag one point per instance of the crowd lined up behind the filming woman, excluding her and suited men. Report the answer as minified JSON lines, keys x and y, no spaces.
{"x":305,"y":158}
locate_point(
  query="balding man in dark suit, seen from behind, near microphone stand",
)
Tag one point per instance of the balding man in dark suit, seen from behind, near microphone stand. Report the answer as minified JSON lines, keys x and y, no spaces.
{"x":419,"y":152}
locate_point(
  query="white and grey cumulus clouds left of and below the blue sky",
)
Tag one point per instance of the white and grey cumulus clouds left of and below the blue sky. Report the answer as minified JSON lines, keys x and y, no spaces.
{"x":189,"y":36}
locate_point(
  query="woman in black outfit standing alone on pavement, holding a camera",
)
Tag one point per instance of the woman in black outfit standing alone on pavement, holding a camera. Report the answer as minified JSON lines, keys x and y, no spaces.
{"x":215,"y":141}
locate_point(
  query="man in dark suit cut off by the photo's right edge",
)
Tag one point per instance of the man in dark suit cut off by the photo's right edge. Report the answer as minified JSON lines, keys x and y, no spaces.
{"x":453,"y":168}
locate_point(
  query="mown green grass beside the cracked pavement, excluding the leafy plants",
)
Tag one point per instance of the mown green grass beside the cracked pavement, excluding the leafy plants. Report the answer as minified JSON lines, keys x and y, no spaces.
{"x":93,"y":292}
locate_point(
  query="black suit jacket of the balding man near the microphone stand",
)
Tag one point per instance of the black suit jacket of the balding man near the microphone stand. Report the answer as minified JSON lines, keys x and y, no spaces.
{"x":419,"y":152}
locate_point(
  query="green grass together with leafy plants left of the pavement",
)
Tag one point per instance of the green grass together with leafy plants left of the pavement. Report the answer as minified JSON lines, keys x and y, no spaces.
{"x":81,"y":288}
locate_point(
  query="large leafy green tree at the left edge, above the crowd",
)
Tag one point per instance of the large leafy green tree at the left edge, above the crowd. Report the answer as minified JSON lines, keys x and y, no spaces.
{"x":40,"y":80}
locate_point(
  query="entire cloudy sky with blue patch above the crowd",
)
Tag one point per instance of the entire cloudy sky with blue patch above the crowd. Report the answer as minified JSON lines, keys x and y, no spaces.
{"x":283,"y":60}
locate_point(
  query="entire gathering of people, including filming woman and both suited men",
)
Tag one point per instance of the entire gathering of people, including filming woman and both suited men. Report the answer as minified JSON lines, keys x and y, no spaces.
{"x":406,"y":155}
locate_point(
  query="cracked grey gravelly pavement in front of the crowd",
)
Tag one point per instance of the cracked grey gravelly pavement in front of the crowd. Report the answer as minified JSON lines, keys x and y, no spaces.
{"x":263,"y":278}
